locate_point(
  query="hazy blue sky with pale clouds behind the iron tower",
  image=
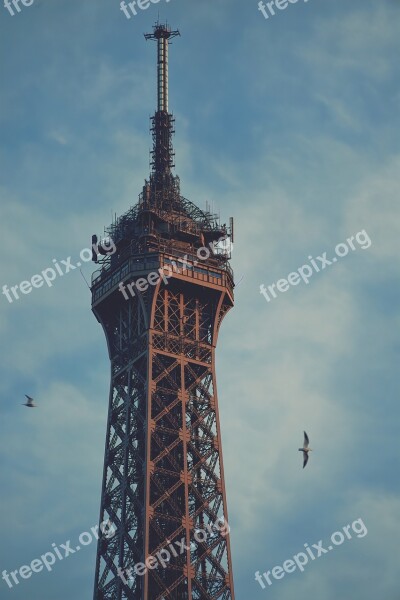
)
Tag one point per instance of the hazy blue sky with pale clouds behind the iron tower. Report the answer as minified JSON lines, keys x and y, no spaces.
{"x":291,"y":126}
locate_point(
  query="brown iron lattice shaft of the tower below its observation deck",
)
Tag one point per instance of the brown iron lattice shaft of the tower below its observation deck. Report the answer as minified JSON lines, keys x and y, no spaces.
{"x":163,"y":485}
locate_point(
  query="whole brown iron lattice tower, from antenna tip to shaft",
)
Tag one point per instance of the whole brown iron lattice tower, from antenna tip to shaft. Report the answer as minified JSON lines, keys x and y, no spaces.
{"x":160,"y":298}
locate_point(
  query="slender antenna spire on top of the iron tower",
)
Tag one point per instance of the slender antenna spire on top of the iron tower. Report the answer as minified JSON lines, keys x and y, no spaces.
{"x":163,"y":121}
